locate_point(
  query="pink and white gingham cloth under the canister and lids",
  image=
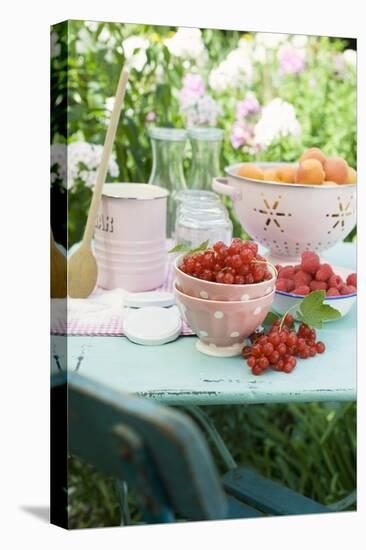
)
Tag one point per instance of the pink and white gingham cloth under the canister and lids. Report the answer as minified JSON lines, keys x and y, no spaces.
{"x":102,"y":313}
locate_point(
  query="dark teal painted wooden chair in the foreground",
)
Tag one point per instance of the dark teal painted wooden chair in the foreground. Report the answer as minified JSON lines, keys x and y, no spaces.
{"x":163,"y":457}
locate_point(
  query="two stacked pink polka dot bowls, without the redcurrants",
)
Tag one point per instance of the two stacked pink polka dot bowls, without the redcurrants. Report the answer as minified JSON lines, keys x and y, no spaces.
{"x":221,"y":315}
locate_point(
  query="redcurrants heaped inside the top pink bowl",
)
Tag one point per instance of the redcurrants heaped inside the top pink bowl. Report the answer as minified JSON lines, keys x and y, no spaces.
{"x":237,"y":264}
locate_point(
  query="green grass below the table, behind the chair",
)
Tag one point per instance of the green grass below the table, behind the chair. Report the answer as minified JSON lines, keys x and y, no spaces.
{"x":310,"y":447}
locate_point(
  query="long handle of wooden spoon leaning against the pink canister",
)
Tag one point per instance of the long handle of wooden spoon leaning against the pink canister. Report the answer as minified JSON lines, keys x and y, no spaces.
{"x":103,"y":167}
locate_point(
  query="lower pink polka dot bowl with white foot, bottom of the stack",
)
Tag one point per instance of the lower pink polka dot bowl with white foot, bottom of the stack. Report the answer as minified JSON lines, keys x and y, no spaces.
{"x":222,"y":326}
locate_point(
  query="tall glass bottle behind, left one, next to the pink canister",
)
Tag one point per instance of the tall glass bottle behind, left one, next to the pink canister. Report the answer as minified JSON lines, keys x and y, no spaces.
{"x":168,"y":145}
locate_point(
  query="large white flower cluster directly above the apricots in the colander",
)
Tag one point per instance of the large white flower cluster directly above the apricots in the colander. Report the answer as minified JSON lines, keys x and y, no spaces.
{"x":278,"y":119}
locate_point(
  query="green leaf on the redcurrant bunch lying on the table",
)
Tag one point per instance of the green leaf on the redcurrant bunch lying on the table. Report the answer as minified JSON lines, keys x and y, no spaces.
{"x":314,"y":312}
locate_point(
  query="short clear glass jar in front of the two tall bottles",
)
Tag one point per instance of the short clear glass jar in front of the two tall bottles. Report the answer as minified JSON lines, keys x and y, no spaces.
{"x":201,"y":216}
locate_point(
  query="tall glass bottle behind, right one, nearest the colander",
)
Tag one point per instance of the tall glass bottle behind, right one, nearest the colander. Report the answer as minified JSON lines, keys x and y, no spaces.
{"x":206,"y":145}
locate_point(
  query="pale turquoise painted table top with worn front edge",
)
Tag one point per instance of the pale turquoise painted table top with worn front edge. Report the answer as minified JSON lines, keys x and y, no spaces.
{"x":176,"y":373}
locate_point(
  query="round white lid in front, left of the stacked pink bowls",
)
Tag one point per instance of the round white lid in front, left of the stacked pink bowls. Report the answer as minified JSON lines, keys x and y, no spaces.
{"x":152,"y":326}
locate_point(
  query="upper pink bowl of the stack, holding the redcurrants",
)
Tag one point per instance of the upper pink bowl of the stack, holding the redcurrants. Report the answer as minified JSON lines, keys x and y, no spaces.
{"x":208,"y":290}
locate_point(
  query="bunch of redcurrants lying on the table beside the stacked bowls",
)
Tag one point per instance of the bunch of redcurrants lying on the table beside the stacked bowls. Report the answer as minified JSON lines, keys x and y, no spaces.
{"x":280,"y":347}
